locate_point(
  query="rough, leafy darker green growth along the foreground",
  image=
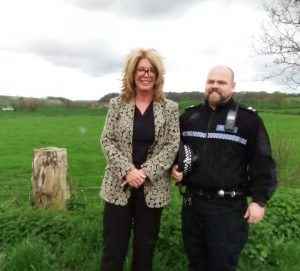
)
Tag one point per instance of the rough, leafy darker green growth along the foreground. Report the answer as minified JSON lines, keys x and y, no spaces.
{"x":48,"y":239}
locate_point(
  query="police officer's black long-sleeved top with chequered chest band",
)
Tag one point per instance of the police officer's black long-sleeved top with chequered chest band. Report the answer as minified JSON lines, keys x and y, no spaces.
{"x":236,"y":159}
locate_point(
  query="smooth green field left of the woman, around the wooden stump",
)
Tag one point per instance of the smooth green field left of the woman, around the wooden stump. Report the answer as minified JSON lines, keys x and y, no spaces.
{"x":78,"y":131}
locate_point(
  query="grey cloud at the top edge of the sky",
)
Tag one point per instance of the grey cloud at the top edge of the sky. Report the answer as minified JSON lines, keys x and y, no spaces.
{"x":138,"y":8}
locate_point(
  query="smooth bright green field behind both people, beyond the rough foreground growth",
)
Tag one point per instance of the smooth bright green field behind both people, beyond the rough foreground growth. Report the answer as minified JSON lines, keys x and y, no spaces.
{"x":79,"y":131}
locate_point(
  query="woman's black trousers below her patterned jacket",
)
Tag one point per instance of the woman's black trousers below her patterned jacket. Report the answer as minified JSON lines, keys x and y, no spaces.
{"x":118,"y":221}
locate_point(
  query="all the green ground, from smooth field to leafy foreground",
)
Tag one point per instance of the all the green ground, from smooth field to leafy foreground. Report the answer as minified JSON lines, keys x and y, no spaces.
{"x":80,"y":242}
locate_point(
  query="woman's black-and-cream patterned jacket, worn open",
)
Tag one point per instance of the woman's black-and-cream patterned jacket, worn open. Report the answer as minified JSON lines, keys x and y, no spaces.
{"x":116,"y":141}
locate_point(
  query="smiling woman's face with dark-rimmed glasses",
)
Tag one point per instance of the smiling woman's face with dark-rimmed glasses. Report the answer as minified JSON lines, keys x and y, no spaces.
{"x":145,"y":76}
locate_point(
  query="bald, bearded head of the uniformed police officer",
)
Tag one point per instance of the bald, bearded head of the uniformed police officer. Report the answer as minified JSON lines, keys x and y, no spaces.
{"x":219,"y":85}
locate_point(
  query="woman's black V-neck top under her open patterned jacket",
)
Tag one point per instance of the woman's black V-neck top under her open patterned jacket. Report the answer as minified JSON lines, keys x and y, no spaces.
{"x":143,"y":135}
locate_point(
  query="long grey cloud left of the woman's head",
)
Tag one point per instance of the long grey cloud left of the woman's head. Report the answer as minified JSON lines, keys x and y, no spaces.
{"x":94,"y":58}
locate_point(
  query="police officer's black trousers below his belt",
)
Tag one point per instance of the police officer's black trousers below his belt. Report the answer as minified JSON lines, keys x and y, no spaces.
{"x":214,"y":232}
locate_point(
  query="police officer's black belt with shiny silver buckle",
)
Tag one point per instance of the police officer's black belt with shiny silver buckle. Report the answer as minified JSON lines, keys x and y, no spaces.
{"x":216,"y":194}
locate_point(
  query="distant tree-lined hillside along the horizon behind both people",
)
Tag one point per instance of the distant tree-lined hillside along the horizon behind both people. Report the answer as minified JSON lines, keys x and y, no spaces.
{"x":260,"y":100}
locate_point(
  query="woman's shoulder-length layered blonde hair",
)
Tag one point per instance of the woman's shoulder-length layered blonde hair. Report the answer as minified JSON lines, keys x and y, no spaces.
{"x":132,"y":59}
